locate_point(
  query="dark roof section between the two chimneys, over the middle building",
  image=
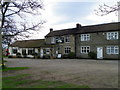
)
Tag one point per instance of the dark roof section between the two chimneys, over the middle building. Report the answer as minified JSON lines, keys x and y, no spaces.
{"x":61,"y":32}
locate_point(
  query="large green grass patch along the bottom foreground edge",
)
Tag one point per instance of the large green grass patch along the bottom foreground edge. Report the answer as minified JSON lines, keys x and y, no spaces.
{"x":24,"y":81}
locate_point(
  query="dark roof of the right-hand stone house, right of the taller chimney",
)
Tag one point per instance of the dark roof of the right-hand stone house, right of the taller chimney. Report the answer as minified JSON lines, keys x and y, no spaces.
{"x":100,"y":28}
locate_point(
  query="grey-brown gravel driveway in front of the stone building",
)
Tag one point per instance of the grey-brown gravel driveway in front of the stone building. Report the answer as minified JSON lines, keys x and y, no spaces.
{"x":94,"y":73}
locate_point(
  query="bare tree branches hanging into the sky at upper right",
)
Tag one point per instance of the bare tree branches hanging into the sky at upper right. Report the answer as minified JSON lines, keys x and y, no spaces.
{"x":107,"y":9}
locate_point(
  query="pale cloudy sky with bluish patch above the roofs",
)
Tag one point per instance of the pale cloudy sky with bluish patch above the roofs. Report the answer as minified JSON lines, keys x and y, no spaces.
{"x":62,"y":14}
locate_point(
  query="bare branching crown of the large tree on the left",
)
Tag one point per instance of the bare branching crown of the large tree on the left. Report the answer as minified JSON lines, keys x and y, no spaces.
{"x":13,"y":17}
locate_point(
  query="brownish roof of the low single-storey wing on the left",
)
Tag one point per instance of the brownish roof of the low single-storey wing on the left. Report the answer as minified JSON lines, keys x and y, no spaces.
{"x":30,"y":43}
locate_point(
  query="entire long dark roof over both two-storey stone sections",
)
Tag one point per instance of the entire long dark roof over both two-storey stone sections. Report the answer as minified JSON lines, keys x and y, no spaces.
{"x":86,"y":29}
